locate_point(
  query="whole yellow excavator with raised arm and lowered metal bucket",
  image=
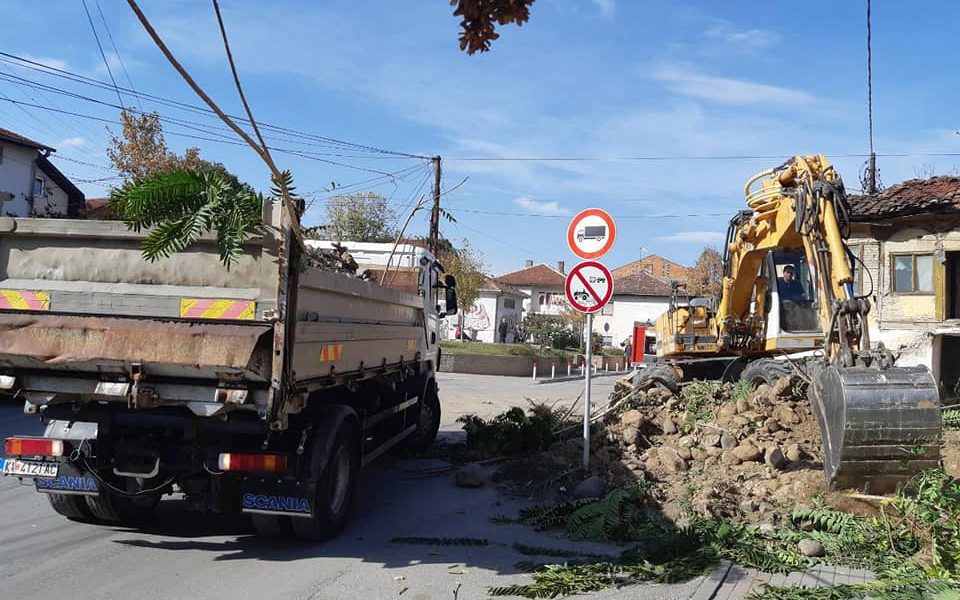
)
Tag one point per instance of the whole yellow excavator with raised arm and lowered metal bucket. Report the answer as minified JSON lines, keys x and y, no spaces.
{"x":788,"y":289}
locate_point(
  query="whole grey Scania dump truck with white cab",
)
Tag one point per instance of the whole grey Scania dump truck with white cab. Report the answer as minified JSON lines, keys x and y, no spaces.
{"x":260,"y":389}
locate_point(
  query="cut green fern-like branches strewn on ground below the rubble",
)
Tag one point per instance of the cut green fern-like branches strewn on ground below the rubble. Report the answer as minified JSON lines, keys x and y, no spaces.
{"x":913,"y":546}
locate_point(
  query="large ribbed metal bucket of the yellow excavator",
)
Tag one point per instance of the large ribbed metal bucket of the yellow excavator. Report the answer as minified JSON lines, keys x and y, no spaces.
{"x":880,"y":426}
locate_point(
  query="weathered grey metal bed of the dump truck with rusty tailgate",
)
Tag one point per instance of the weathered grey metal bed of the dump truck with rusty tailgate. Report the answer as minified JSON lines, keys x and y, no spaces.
{"x":80,"y":308}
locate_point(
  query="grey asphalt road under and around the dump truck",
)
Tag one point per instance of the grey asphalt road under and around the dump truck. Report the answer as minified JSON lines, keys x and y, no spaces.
{"x":183,"y":555}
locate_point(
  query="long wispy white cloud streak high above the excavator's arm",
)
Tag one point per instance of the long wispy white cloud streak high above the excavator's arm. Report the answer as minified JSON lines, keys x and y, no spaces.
{"x":723,"y":90}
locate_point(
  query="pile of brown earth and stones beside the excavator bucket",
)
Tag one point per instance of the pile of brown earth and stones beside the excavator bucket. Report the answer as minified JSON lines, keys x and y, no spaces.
{"x":713,"y":449}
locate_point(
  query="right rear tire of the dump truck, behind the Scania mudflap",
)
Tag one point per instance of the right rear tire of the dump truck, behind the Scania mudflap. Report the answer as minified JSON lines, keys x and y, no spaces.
{"x":334,"y":489}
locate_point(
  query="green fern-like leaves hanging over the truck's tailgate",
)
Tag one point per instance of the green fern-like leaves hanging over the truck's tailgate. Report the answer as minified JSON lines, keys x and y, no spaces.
{"x":180,"y":206}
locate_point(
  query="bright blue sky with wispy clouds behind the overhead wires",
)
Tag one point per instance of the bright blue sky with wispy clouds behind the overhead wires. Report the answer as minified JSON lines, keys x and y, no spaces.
{"x":600,"y":79}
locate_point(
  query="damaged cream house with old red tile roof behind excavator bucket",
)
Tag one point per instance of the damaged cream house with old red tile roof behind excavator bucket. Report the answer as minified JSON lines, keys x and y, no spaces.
{"x":908,"y":239}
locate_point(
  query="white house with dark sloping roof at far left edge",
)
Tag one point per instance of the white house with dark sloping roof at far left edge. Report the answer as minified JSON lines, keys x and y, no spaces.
{"x":30,"y":185}
